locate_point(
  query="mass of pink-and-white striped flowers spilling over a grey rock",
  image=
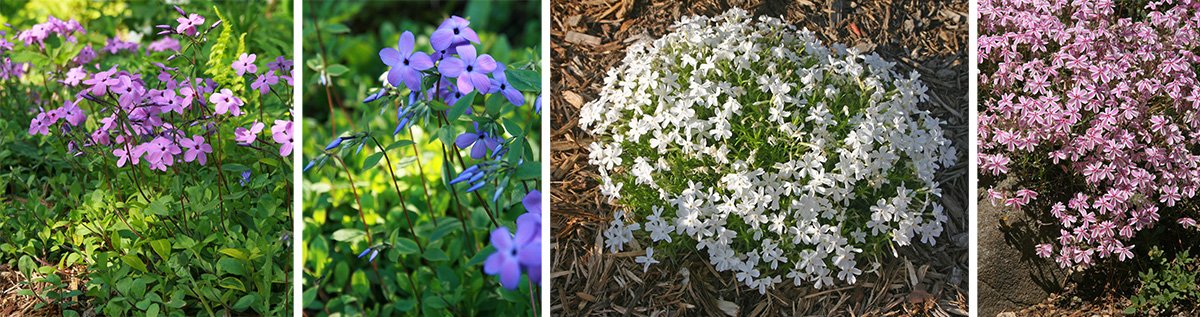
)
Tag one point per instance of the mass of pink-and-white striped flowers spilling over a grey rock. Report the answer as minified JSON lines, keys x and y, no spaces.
{"x":1113,"y":101}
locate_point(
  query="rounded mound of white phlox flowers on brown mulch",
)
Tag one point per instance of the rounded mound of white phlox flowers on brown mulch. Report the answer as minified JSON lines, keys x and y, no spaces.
{"x":779,"y":157}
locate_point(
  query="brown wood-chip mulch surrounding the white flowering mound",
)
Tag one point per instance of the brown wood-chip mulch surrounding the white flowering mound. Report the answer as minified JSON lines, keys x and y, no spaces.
{"x":590,"y":37}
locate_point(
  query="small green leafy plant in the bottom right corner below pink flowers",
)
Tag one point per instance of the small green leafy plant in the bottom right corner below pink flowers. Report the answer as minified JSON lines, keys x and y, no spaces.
{"x":1174,"y":283}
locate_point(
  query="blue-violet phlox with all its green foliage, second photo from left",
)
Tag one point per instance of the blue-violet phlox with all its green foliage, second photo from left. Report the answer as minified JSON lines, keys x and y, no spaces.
{"x":422,"y":177}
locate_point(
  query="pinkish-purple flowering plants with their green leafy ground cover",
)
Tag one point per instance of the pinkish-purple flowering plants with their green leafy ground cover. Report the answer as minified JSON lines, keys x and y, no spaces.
{"x":154,"y":162}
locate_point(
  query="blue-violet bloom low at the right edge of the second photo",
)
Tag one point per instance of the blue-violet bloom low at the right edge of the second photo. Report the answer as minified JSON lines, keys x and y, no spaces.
{"x":520,"y":253}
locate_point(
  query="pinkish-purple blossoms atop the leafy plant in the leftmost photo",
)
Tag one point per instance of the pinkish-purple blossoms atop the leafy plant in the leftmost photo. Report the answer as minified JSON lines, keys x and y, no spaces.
{"x":146,"y":118}
